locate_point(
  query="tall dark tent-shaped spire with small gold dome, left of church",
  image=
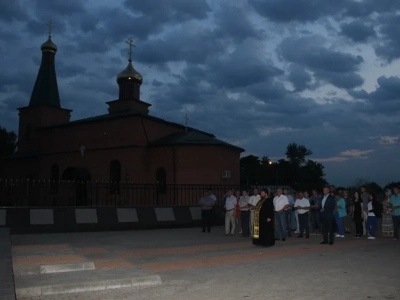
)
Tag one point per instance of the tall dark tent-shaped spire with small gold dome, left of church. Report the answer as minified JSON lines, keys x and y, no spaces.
{"x":45,"y":91}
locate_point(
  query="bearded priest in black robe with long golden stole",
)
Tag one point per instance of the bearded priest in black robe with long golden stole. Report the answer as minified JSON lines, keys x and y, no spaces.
{"x":263,"y":230}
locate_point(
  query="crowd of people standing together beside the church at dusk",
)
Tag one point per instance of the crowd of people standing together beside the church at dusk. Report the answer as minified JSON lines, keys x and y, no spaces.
{"x":266,"y":218}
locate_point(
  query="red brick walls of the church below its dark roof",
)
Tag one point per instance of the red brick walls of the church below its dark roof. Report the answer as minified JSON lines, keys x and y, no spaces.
{"x":125,"y":140}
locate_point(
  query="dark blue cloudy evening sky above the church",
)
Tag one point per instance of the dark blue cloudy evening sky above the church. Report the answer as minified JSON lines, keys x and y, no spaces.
{"x":258,"y":74}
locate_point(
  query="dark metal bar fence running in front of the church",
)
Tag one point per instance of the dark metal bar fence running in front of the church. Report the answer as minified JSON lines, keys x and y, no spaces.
{"x":27,"y":192}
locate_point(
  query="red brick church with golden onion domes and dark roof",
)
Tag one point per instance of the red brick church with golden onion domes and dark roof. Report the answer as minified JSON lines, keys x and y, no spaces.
{"x":126,"y":144}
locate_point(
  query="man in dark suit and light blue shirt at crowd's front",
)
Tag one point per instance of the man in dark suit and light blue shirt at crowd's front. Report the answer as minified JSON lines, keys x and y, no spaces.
{"x":328,"y":205}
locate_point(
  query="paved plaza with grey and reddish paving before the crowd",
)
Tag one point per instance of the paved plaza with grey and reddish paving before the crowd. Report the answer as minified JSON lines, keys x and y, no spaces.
{"x":187,"y":264}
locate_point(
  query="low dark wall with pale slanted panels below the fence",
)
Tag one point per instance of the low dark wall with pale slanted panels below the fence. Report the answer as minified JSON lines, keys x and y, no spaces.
{"x":72,"y":219}
